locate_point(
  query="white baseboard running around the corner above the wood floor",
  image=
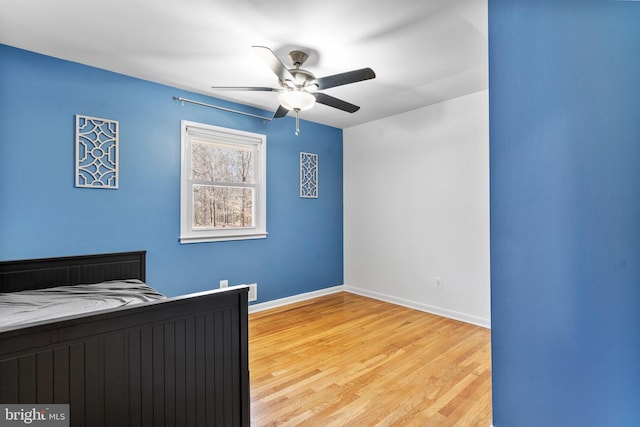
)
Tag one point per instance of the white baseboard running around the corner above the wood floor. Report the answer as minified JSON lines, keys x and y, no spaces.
{"x":463,"y":317}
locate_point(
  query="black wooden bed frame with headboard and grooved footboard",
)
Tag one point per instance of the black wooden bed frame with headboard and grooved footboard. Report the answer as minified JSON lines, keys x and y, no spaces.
{"x":182,"y":361}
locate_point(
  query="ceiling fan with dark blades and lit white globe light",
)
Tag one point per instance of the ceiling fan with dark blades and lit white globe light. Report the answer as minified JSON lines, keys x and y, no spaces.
{"x":299,"y":88}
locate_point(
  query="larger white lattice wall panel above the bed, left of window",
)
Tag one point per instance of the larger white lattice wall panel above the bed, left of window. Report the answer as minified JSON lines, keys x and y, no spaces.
{"x":96,"y":152}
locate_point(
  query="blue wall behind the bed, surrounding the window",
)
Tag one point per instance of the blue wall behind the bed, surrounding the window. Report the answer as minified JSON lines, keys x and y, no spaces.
{"x":42,"y":214}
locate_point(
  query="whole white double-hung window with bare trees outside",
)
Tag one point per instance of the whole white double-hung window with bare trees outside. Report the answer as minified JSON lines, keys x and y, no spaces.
{"x":223,"y":189}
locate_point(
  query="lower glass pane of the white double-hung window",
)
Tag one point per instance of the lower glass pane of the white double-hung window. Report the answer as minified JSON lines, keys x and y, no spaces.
{"x":222,"y":207}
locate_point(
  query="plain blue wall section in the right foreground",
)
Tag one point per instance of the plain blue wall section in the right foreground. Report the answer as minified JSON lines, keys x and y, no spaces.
{"x":565,"y":212}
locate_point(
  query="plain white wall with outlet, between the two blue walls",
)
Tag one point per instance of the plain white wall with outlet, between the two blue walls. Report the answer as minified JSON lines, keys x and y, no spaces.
{"x":416,"y":206}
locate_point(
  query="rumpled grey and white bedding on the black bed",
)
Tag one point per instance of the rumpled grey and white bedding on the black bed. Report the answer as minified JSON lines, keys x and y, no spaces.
{"x":17,"y":308}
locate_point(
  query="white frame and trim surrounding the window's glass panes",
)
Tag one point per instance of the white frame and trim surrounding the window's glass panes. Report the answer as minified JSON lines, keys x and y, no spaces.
{"x":228,"y":136}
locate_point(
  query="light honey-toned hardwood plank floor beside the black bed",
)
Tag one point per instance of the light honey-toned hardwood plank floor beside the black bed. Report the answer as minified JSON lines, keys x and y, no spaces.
{"x":345,"y":359}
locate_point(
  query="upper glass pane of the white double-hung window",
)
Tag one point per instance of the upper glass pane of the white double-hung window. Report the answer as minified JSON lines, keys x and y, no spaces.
{"x":221,"y":162}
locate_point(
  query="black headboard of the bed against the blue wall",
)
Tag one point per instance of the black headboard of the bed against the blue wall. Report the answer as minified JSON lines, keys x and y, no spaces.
{"x":72,"y":270}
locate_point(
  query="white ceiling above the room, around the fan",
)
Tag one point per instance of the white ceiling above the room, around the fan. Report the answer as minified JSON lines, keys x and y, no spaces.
{"x":423,"y":51}
